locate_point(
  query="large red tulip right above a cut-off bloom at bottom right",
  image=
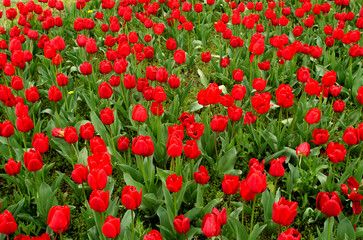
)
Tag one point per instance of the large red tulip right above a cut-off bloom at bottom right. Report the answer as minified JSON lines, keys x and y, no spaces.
{"x":284,"y":212}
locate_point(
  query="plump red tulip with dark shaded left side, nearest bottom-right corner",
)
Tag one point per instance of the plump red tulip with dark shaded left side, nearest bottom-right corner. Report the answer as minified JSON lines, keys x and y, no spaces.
{"x":329,"y":203}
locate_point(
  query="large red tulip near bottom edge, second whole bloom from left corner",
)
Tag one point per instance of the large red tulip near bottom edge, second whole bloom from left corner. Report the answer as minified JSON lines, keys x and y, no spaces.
{"x":59,"y":218}
